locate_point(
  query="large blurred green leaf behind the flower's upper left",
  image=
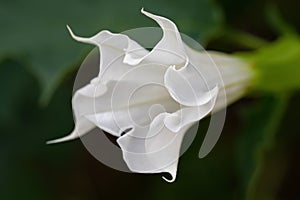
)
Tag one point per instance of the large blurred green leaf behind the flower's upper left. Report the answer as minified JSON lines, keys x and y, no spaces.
{"x":34,"y":32}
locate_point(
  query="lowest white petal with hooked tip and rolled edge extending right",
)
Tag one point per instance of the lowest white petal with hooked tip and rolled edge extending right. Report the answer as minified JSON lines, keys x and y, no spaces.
{"x":159,"y":150}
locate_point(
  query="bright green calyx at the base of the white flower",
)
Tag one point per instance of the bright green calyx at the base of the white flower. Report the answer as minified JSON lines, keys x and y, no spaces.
{"x":276,"y":65}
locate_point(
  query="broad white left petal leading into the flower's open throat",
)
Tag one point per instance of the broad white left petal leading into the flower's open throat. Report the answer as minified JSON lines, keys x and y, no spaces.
{"x":129,"y":103}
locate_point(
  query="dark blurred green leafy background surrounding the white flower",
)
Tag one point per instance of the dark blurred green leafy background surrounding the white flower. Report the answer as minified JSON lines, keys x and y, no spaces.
{"x":255,"y":158}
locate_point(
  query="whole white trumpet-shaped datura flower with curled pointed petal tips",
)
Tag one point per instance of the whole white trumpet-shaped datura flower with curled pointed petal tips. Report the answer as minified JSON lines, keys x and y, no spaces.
{"x":174,"y":87}
